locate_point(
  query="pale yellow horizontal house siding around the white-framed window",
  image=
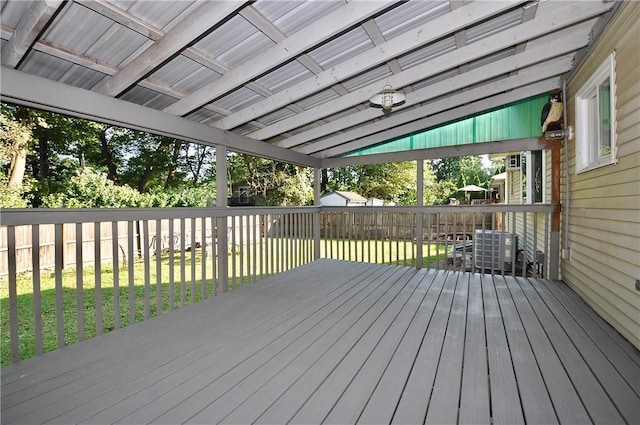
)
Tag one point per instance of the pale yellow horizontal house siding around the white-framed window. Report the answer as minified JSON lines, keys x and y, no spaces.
{"x":604,"y":206}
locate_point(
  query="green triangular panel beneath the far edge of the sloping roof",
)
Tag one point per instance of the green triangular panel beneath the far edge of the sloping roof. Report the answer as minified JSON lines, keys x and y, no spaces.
{"x":516,"y":120}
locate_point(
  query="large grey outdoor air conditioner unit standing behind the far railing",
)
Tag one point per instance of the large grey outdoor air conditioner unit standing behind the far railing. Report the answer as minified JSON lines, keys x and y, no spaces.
{"x":492,"y":248}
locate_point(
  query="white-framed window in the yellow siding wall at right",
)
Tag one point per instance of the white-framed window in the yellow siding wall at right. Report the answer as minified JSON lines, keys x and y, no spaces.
{"x":595,"y":119}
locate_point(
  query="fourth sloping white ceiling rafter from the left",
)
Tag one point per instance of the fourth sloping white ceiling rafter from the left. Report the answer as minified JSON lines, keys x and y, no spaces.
{"x":399,"y":45}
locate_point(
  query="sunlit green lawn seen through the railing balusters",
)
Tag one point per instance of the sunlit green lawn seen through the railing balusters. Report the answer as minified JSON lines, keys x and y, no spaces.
{"x":116,"y":311}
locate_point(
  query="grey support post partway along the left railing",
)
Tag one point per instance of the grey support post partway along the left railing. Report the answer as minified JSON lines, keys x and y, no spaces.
{"x":221,"y":222}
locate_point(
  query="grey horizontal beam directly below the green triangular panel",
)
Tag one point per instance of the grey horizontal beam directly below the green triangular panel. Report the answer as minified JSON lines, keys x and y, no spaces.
{"x":502,"y":146}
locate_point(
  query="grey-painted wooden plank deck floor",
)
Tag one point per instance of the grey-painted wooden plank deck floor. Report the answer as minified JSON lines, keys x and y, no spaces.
{"x":343,"y":342}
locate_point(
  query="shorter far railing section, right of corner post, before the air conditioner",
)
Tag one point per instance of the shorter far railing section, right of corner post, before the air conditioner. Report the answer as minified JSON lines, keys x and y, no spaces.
{"x":515,"y":239}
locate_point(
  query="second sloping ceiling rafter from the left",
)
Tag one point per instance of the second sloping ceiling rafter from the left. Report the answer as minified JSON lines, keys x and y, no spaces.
{"x":198,"y":24}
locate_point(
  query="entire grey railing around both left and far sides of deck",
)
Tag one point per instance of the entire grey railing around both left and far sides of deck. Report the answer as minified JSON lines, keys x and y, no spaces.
{"x":73,"y":274}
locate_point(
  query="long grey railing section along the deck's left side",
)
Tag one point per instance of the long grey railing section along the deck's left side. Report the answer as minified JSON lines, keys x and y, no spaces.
{"x":113,"y":267}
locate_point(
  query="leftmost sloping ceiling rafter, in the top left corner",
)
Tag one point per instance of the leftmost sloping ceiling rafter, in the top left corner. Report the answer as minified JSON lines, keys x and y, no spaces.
{"x":30,"y":26}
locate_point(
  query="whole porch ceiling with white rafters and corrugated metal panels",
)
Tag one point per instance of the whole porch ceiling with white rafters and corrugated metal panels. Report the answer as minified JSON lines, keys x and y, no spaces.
{"x":288,"y":80}
